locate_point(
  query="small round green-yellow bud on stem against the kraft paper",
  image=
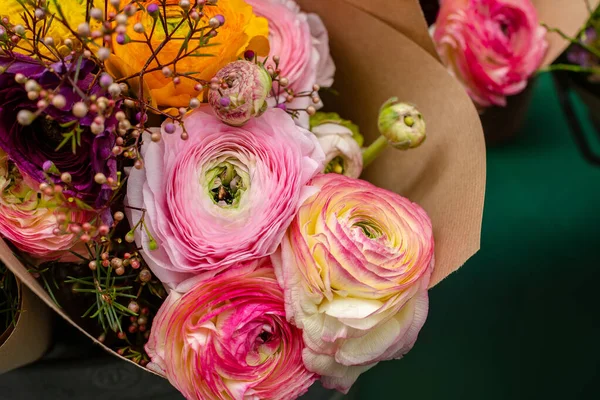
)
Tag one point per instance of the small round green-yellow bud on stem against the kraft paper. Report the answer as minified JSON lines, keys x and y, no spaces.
{"x":401,"y":124}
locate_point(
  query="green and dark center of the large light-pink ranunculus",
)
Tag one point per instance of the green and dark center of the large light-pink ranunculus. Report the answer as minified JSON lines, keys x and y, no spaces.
{"x":226,"y":185}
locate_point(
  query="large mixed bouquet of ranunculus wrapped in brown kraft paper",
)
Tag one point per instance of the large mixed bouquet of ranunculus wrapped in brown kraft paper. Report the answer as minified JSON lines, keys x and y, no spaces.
{"x":182,"y":186}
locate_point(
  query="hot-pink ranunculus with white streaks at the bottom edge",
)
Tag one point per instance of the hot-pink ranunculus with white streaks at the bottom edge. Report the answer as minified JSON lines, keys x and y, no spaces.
{"x":227,"y":338}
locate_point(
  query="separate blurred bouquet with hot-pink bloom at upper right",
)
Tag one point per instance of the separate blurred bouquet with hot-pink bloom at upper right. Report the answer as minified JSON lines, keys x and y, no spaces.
{"x":495,"y":47}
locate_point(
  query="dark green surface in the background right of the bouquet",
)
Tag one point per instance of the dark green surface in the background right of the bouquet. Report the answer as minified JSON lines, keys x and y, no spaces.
{"x":520,"y":320}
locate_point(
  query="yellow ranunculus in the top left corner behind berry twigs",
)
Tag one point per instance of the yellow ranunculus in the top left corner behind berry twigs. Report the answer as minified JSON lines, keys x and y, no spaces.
{"x":73,"y":10}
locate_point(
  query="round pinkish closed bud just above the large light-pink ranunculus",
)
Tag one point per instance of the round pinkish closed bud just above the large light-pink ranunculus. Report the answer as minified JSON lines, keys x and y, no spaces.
{"x":247,"y":87}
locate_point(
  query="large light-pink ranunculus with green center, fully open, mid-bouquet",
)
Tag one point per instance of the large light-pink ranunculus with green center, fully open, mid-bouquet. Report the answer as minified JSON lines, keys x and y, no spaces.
{"x":225,"y":195}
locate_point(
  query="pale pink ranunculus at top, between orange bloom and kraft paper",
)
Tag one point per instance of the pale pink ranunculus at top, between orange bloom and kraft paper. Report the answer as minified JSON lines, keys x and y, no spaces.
{"x":302,"y":43}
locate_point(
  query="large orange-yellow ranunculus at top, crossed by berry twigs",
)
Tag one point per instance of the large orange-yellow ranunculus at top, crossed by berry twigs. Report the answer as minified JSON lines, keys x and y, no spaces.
{"x":242,"y":30}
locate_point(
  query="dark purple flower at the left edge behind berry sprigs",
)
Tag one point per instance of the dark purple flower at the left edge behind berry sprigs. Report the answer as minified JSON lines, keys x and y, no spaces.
{"x":34,"y":147}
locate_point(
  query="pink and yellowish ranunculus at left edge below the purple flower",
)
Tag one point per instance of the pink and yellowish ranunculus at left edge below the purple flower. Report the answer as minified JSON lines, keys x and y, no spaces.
{"x":28,"y":218}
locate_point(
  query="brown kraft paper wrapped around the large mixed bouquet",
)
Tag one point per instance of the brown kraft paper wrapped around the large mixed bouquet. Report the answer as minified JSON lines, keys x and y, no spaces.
{"x":446,"y":175}
